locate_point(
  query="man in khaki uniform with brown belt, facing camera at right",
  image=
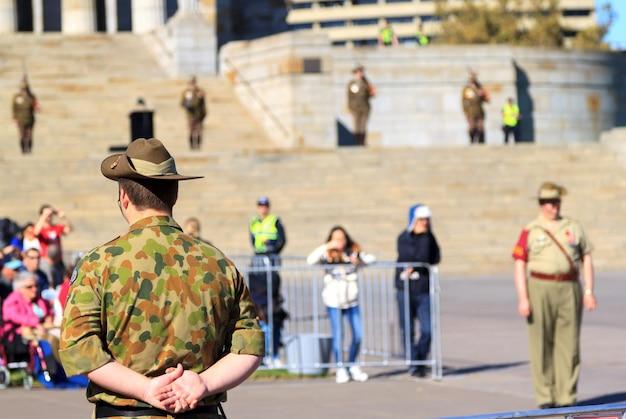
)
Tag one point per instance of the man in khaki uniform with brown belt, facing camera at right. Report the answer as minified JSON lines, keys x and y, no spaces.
{"x":548,"y":256}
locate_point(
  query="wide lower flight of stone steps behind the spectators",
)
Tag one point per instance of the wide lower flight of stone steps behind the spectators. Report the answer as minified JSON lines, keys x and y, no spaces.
{"x":481,"y":197}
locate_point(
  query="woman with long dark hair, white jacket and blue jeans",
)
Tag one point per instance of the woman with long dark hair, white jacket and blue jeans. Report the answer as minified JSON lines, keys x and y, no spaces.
{"x":340,"y":295}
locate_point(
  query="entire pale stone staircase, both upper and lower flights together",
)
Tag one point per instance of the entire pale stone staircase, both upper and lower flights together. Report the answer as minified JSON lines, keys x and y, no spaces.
{"x":481,"y":196}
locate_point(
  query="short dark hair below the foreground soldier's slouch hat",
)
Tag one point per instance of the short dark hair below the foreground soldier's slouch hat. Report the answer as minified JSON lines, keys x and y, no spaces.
{"x":154,"y":194}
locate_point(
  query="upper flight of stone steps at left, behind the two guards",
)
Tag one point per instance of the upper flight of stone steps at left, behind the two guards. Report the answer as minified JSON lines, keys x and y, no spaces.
{"x":86,"y":85}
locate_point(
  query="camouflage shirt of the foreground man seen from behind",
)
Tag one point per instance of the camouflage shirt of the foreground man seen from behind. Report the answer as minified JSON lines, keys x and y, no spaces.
{"x":152,"y":298}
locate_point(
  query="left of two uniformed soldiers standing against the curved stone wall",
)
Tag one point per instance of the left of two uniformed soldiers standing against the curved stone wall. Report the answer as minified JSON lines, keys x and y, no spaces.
{"x":360,"y":90}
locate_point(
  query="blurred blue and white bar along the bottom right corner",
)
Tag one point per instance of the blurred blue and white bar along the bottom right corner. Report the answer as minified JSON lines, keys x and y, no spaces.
{"x":605,"y":411}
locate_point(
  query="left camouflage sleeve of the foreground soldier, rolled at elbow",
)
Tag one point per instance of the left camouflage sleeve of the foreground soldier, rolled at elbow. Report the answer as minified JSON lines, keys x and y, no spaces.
{"x":81,"y":350}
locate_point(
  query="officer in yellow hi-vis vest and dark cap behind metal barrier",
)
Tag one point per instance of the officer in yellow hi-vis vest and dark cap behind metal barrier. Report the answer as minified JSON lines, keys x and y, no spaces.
{"x":268,"y":240}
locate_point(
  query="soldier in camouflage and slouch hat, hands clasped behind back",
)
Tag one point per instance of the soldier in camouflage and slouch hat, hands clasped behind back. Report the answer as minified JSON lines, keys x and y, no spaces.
{"x":160,"y":322}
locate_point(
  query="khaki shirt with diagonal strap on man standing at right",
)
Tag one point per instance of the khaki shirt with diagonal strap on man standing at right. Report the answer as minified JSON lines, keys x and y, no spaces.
{"x":540,"y":252}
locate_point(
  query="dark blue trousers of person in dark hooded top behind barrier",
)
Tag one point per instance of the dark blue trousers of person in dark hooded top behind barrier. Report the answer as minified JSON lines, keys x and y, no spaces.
{"x":419,"y":308}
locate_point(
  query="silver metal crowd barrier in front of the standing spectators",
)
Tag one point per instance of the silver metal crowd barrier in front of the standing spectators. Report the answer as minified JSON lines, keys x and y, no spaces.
{"x":301,"y":291}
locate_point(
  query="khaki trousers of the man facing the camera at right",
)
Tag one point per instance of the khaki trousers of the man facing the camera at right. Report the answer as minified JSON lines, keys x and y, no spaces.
{"x":554,"y":339}
